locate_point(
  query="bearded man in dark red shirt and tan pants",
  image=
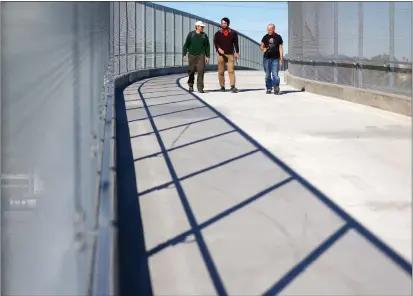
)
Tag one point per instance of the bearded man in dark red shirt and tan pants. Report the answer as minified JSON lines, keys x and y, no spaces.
{"x":225,"y":41}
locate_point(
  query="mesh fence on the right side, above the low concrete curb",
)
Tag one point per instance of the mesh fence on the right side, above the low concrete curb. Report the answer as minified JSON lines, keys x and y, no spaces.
{"x":360,"y":44}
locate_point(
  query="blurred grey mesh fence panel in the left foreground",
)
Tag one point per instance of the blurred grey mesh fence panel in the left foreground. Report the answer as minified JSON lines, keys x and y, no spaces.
{"x":51,"y":139}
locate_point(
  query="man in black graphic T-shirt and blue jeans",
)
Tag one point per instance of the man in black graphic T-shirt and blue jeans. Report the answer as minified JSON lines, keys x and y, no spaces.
{"x":272,"y":46}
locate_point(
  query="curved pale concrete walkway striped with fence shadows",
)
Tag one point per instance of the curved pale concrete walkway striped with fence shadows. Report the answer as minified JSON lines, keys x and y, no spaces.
{"x":255,"y":194}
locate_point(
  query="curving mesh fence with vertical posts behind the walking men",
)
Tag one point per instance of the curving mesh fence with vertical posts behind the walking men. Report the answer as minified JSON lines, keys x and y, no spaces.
{"x":147,"y":36}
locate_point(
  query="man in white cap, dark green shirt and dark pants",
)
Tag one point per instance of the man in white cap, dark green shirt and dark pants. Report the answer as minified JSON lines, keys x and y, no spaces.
{"x":197,"y":48}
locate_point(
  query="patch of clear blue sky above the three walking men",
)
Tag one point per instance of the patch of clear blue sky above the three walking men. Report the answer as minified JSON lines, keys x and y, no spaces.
{"x":249,"y":18}
